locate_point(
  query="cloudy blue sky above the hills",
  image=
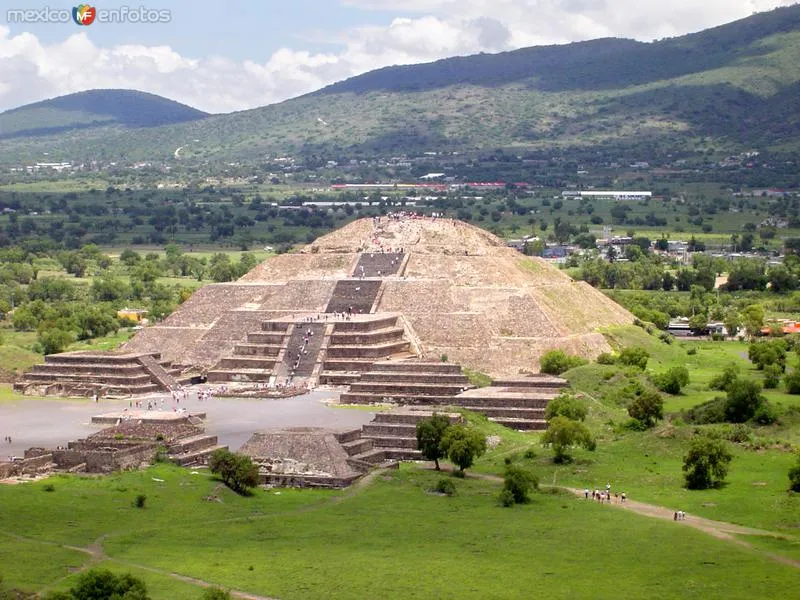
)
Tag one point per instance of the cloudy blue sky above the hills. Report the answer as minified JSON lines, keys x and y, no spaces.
{"x":235,"y":54}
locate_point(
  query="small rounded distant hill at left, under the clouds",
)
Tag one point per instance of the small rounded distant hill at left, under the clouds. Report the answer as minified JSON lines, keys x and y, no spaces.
{"x":94,"y":109}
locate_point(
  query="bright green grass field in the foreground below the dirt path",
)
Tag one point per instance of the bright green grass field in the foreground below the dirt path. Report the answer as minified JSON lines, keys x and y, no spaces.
{"x":365,"y":543}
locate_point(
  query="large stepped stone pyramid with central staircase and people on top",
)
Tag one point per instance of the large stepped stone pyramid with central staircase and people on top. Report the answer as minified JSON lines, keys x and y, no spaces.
{"x":395,"y":287}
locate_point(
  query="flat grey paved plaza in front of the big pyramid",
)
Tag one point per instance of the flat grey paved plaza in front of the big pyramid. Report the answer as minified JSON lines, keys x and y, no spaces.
{"x":50,"y":423}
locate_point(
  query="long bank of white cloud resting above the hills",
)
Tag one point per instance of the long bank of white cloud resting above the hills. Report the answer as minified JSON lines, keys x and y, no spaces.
{"x":425,"y":30}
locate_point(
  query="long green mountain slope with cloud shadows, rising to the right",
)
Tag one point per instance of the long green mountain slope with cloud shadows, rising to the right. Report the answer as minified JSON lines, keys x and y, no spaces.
{"x":731,"y":87}
